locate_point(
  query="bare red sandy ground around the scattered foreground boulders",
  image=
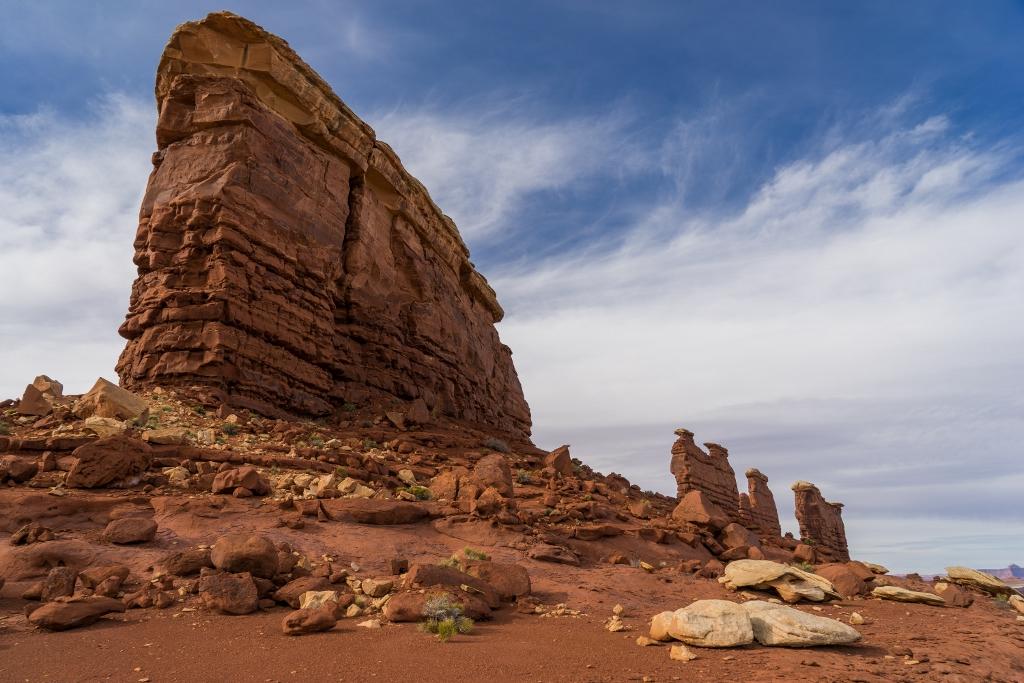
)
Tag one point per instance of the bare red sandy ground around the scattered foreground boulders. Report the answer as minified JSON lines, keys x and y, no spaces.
{"x":984,"y":643}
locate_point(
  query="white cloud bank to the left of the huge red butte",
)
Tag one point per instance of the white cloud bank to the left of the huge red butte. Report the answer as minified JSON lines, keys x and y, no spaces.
{"x":70,"y":192}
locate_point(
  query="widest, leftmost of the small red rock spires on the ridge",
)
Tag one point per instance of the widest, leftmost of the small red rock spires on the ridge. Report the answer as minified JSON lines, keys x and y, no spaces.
{"x":708,"y":473}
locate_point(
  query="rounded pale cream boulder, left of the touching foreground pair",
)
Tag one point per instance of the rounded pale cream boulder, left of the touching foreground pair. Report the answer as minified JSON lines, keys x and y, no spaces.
{"x":707,"y":624}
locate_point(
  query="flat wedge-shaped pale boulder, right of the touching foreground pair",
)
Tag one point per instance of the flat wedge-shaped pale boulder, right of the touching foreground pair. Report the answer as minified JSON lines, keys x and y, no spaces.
{"x":779,"y":625}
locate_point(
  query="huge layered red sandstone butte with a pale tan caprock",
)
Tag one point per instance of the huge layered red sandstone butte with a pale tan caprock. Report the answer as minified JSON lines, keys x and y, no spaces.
{"x":287,"y":263}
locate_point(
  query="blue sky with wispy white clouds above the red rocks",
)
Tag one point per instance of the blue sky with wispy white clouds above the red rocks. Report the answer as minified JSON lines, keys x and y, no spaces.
{"x":792,"y":228}
